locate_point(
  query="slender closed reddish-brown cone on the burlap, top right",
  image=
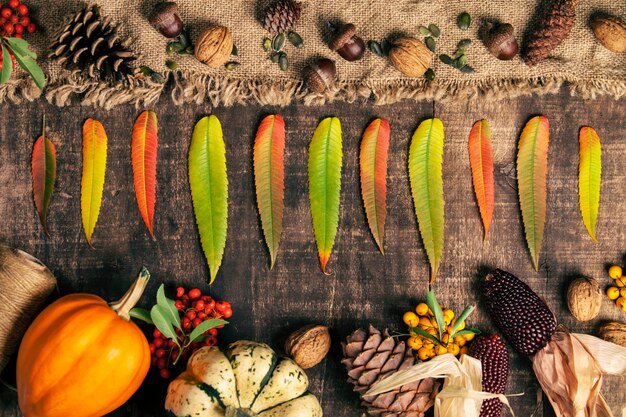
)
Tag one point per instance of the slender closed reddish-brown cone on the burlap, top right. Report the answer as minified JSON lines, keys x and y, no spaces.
{"x":552,"y":28}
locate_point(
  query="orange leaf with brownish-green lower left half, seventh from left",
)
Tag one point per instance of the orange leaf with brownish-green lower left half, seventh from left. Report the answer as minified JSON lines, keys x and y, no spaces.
{"x":373,"y":161}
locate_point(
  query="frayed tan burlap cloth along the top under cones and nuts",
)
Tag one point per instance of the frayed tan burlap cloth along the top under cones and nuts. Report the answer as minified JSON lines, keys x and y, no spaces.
{"x":580,"y":61}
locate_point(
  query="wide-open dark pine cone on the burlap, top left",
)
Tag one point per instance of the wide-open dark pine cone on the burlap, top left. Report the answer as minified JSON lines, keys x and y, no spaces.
{"x":90,"y":43}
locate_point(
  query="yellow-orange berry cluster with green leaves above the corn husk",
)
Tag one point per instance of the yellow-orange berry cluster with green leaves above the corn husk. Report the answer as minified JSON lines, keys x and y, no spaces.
{"x":426,"y":348}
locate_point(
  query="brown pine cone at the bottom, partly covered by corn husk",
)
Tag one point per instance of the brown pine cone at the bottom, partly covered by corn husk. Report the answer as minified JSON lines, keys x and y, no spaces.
{"x":372,"y":356}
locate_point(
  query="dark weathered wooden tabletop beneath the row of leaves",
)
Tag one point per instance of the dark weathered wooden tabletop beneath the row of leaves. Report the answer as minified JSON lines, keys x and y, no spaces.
{"x":363,"y":286}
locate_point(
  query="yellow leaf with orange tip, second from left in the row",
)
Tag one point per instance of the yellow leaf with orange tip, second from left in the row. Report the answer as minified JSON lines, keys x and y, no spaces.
{"x":94,"y":167}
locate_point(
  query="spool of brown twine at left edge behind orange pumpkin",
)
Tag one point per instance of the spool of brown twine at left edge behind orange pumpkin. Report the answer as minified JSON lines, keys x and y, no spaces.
{"x":25,"y":284}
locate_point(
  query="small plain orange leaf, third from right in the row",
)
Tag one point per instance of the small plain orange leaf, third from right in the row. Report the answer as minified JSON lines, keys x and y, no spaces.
{"x":481,"y":161}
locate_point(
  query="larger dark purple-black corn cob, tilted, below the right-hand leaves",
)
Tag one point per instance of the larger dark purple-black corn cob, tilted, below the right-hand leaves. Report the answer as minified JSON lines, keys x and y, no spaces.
{"x":521,"y":316}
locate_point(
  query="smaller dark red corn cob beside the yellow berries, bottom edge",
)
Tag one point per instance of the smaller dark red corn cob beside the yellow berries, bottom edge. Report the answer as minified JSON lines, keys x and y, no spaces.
{"x":494,"y":357}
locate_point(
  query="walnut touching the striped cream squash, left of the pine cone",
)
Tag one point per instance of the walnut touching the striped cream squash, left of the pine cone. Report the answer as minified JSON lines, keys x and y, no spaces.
{"x":309,"y":345}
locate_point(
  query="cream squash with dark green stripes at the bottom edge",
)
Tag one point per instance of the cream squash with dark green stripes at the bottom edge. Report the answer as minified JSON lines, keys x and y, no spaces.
{"x":247,"y":380}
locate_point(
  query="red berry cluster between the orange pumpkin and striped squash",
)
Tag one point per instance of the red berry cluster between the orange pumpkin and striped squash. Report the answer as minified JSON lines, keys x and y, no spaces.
{"x":194,"y":308}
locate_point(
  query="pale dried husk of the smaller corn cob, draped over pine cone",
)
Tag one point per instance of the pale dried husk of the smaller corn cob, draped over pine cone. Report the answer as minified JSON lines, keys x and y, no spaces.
{"x":462,"y":390}
